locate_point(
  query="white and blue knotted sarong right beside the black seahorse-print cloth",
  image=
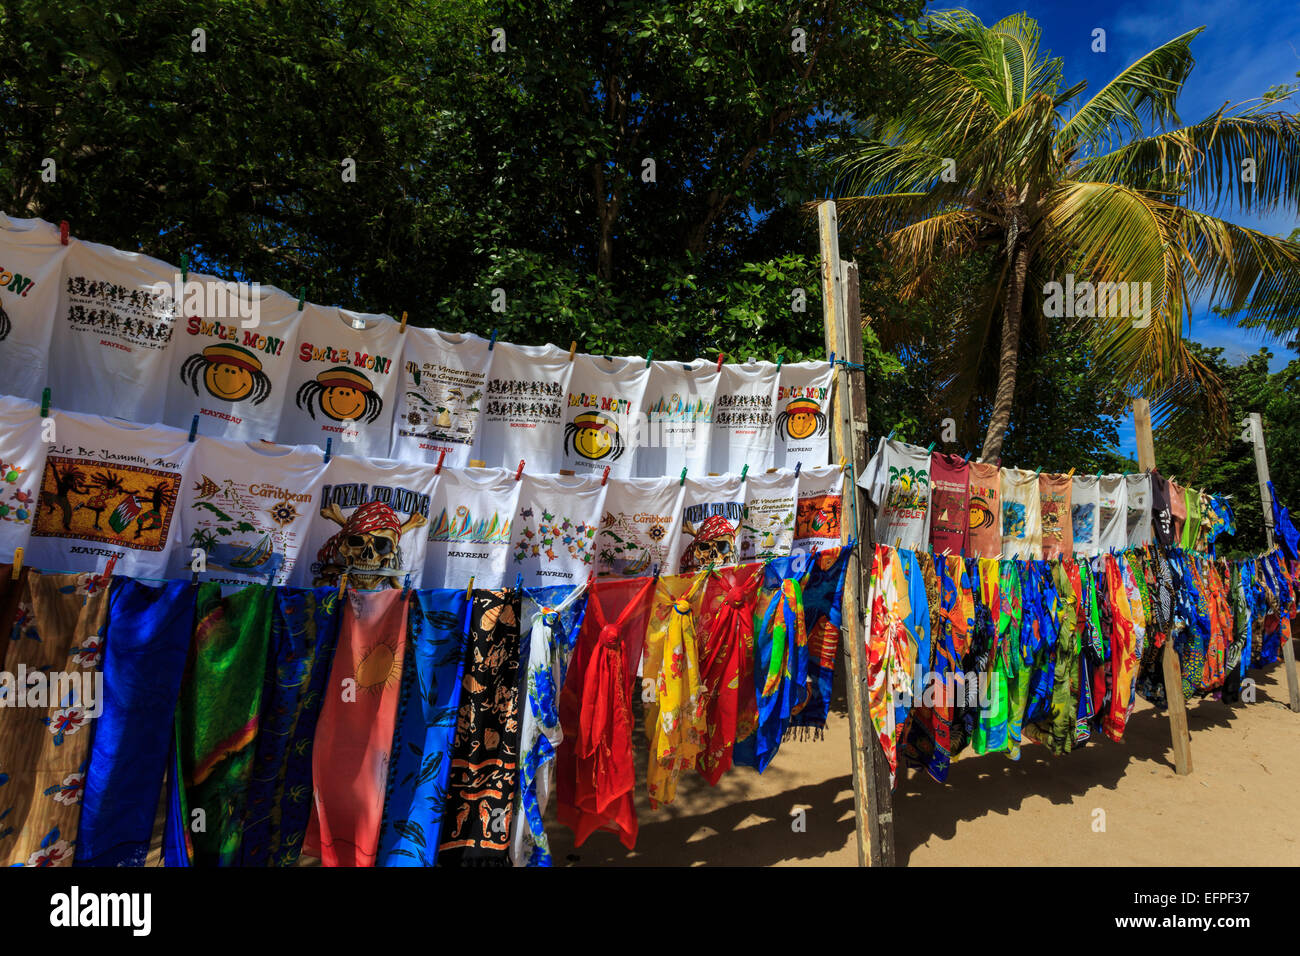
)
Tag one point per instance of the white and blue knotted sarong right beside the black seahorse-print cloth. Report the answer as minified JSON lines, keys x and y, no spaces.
{"x":552,"y":617}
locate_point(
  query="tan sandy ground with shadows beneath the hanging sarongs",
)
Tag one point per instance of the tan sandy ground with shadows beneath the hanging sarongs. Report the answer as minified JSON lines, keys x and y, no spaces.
{"x":1236,"y":808}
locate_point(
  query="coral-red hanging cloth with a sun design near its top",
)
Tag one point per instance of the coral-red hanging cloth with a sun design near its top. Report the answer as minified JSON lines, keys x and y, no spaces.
{"x":354,"y":737}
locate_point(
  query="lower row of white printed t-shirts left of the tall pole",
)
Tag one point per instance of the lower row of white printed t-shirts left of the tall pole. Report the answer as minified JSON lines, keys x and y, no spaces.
{"x":81,"y":491}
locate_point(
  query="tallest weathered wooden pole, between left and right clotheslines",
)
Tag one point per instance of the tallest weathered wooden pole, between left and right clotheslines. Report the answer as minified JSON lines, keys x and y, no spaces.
{"x":873,"y":801}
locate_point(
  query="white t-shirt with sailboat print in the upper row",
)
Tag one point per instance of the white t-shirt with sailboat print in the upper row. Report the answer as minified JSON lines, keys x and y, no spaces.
{"x":679,"y":414}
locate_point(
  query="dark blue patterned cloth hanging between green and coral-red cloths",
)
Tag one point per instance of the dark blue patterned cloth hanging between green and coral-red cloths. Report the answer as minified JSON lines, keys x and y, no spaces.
{"x":304,"y":638}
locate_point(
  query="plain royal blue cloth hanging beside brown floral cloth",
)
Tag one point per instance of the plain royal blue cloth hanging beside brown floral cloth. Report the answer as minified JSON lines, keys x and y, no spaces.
{"x":146,"y":643}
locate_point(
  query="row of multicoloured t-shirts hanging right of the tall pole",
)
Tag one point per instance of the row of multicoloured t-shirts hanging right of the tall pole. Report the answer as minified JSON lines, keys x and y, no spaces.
{"x":974,"y":509}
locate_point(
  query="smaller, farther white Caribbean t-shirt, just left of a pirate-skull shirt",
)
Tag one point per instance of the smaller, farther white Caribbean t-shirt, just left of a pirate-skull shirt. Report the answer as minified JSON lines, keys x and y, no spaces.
{"x":642,"y":524}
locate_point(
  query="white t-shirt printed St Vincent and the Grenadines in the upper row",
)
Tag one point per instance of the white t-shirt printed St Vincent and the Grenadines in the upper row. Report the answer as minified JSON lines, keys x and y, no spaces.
{"x":440,"y":397}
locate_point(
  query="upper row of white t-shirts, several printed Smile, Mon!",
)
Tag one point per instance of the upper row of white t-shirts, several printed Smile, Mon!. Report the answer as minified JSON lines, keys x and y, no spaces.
{"x":137,"y":340}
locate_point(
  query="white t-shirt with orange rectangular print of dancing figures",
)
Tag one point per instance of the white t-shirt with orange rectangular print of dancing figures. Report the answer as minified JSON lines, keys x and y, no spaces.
{"x":111,"y":488}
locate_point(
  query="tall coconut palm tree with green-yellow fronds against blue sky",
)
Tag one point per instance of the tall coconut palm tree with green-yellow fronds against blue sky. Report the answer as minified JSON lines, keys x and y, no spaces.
{"x":987,"y":158}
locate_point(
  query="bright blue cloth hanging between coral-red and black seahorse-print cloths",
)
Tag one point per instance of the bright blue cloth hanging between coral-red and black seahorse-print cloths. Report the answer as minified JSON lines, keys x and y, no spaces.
{"x":427,"y":724}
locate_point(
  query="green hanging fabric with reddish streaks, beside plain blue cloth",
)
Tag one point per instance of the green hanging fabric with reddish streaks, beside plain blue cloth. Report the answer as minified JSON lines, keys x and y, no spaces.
{"x":216,"y":726}
